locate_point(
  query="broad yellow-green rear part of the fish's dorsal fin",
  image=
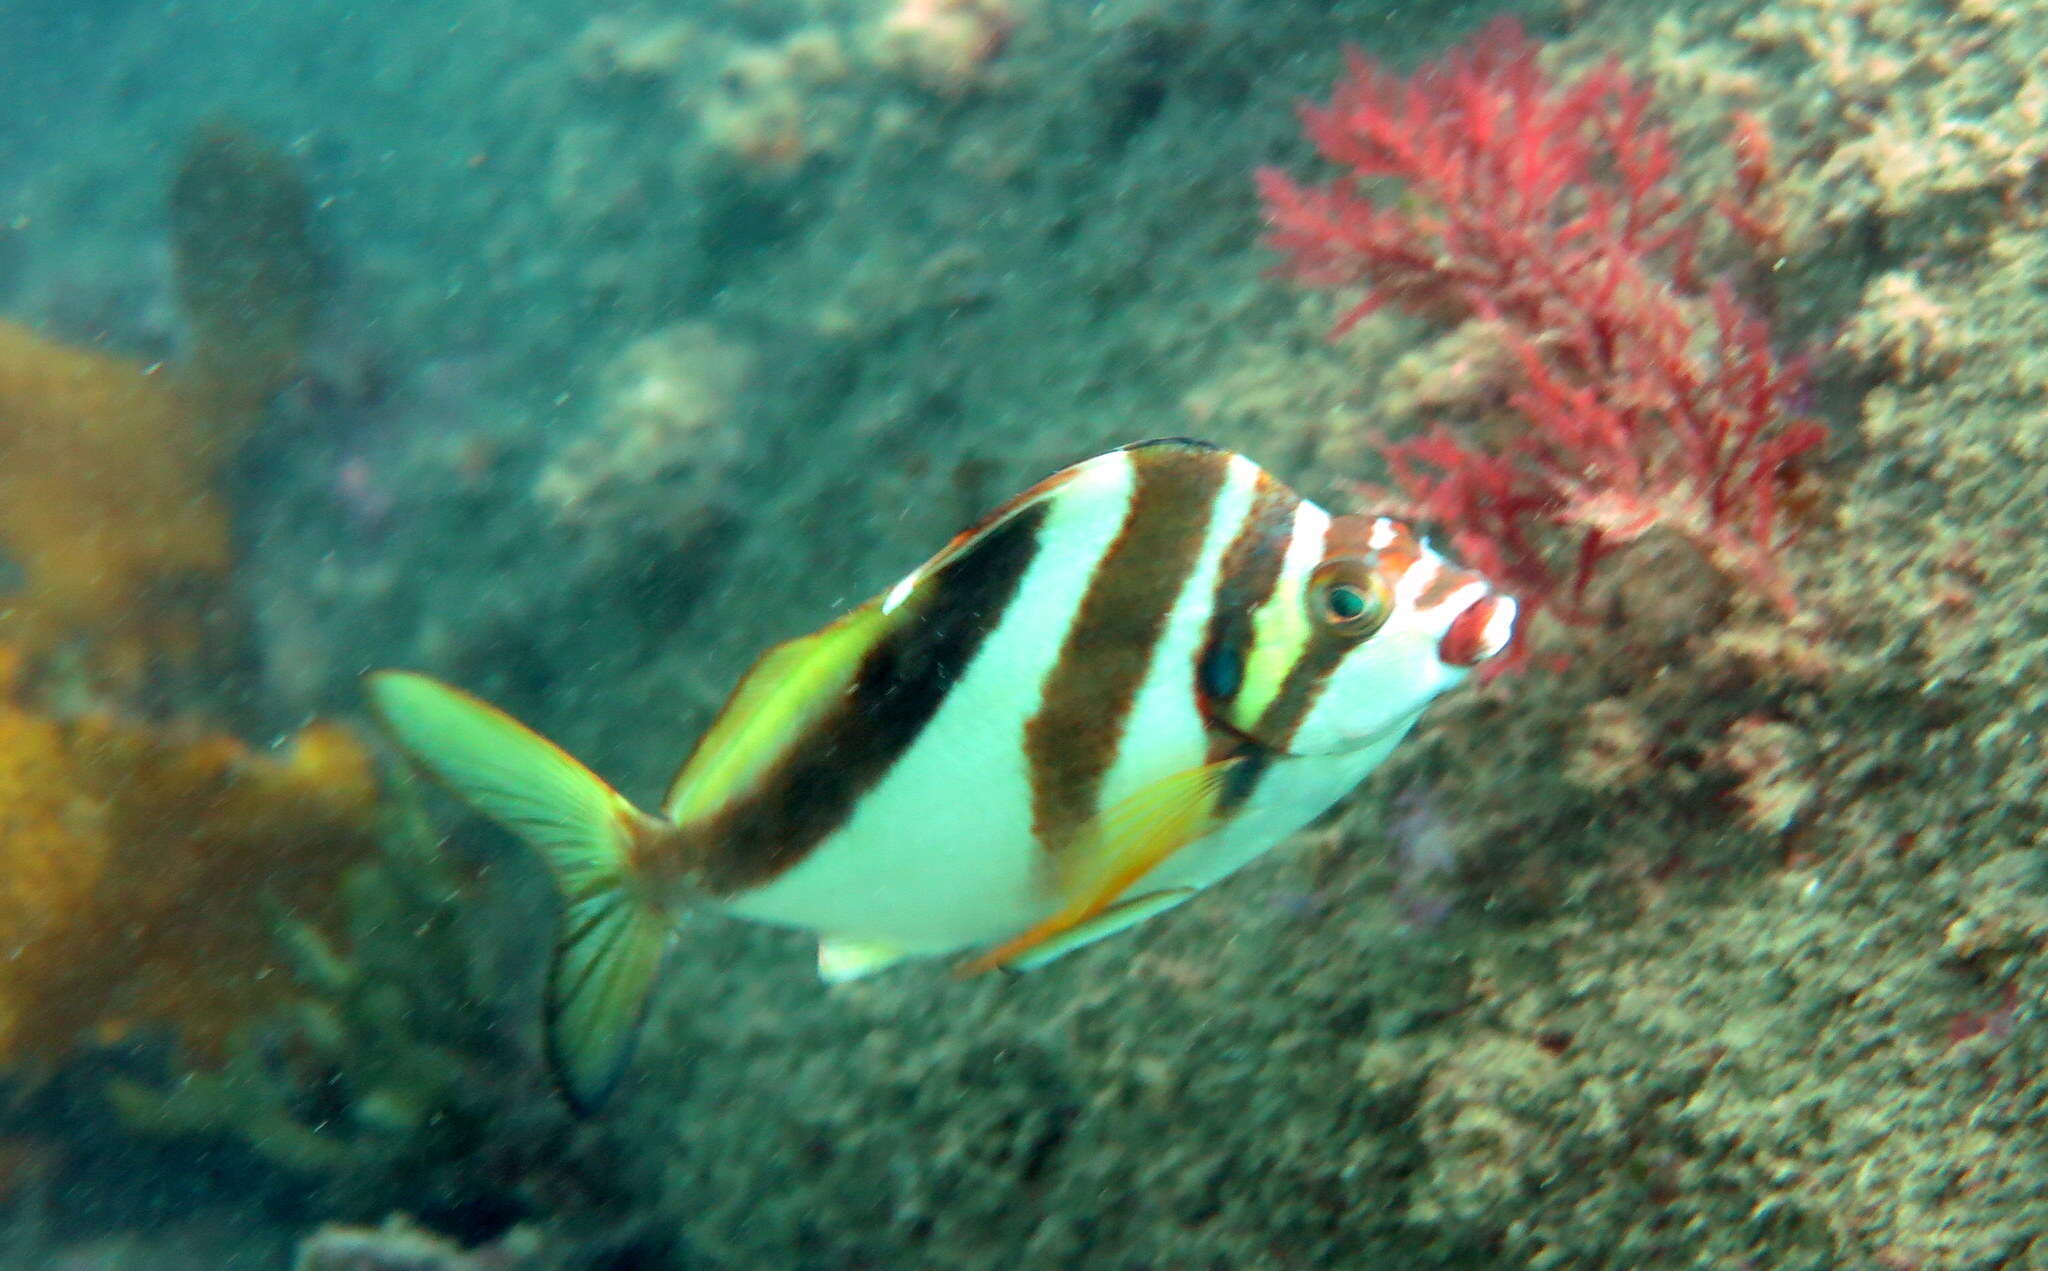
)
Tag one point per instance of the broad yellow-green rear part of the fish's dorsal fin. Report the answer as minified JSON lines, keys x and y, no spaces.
{"x":771,"y":711}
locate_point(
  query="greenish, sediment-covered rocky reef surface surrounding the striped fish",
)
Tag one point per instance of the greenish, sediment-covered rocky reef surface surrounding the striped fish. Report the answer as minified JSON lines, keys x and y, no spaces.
{"x":667,"y":331}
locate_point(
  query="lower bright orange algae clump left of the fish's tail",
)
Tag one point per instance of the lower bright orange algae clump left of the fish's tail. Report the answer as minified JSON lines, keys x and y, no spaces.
{"x":142,"y":873}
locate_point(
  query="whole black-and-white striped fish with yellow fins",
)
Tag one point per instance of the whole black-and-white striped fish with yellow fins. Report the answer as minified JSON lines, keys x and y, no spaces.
{"x":1121,"y":687}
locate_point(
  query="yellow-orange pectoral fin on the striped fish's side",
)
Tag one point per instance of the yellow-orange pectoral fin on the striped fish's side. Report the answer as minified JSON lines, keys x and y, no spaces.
{"x":1115,"y":852}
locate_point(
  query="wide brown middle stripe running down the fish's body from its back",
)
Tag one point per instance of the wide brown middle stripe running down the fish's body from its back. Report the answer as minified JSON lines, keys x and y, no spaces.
{"x":1072,"y":742}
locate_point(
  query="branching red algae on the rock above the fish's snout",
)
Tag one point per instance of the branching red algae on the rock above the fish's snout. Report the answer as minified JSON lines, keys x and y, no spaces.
{"x":1650,"y":398}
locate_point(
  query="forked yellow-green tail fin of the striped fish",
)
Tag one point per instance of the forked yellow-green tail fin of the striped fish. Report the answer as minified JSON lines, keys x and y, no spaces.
{"x":613,"y":932}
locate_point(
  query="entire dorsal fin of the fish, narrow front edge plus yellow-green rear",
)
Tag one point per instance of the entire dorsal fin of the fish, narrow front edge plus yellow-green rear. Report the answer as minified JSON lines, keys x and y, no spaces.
{"x":798,"y":683}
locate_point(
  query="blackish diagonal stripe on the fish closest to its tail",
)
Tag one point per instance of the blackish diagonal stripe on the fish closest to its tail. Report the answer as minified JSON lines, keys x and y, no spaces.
{"x":896,"y":693}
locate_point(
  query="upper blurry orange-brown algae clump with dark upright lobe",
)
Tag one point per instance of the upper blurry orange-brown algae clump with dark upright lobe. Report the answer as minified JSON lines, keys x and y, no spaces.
{"x":108,"y":466}
